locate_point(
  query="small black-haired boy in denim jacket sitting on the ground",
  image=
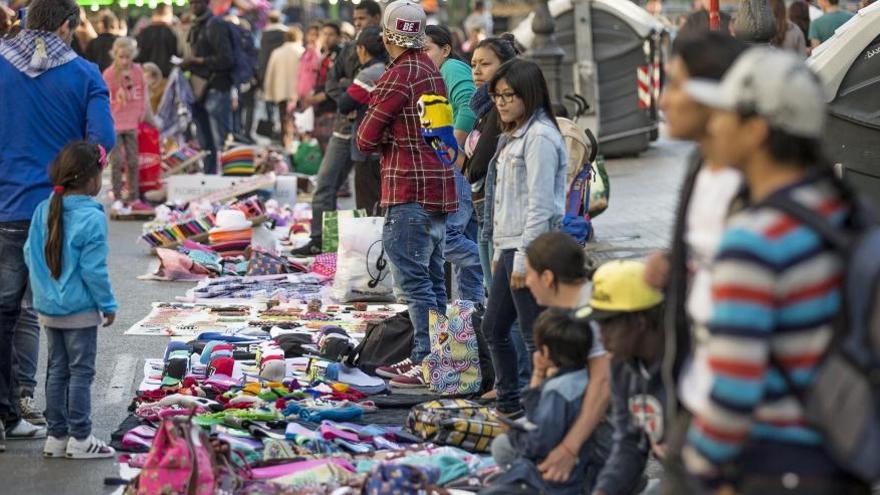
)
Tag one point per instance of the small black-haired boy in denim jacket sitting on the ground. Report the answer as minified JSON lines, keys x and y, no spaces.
{"x":552,"y":404}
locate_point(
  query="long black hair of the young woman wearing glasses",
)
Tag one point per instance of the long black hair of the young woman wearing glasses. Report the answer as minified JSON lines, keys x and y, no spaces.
{"x":526,"y":80}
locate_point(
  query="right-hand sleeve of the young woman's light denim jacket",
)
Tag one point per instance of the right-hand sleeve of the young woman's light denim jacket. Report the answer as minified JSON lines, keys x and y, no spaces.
{"x":540,"y":180}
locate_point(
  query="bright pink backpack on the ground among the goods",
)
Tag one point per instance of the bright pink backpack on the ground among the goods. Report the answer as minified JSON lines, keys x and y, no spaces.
{"x":181,"y":461}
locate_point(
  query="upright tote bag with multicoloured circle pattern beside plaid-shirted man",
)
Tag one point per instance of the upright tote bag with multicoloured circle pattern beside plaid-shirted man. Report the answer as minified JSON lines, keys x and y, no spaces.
{"x":453,"y":366}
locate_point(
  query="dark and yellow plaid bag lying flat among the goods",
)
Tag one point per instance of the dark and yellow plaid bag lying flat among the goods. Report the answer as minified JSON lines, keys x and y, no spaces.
{"x":456,"y":422}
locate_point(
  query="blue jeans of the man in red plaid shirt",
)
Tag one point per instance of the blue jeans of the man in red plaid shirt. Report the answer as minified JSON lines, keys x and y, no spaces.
{"x":413,"y":239}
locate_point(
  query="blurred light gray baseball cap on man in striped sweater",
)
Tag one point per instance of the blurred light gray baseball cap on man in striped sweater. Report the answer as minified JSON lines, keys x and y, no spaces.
{"x":773,"y":84}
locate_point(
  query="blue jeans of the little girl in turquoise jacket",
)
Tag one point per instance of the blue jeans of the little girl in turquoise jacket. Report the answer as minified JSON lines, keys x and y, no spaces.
{"x":69,"y":381}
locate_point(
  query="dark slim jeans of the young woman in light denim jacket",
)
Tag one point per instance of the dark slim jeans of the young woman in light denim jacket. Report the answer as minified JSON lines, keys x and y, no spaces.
{"x":505,"y":306}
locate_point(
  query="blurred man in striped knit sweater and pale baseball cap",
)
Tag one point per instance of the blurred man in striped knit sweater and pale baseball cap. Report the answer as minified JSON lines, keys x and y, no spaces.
{"x":776,"y":287}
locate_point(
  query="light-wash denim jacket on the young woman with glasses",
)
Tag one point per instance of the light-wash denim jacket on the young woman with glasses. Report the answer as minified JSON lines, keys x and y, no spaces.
{"x":525,"y":187}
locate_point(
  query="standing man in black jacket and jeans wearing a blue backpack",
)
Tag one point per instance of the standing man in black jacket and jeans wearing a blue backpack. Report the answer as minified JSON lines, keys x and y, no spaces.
{"x":211,"y":67}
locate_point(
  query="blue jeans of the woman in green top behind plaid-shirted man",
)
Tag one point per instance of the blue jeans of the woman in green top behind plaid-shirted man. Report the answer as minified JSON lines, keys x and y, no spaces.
{"x":461,"y":246}
